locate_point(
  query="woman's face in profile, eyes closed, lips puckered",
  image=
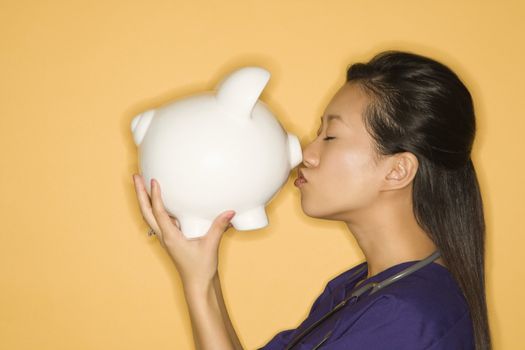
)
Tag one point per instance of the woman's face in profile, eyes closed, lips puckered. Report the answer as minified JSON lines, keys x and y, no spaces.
{"x":342,"y":176}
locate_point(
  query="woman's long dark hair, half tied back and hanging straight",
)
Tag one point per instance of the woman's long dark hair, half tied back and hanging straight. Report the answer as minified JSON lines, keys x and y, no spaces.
{"x":420,"y":106}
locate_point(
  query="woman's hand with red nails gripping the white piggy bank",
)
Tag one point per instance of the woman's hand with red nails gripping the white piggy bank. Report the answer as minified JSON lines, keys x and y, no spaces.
{"x":195,"y":259}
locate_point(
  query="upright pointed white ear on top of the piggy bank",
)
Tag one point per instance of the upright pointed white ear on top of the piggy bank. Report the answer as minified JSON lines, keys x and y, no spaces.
{"x":239,"y":91}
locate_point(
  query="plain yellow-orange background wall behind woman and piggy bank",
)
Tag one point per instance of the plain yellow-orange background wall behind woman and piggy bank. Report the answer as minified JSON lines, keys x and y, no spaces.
{"x":77,"y":270}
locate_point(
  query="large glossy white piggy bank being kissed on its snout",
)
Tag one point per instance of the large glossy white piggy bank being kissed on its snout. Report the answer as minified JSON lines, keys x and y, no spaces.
{"x":217,"y":151}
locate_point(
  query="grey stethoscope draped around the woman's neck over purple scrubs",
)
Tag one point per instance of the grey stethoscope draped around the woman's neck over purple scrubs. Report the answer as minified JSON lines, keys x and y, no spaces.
{"x":375,"y":287}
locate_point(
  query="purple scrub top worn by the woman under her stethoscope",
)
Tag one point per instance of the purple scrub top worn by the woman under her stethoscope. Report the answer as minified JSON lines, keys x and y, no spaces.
{"x":424,"y":310}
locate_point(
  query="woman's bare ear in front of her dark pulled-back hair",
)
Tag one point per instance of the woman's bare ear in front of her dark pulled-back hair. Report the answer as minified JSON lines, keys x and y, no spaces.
{"x":402,"y":169}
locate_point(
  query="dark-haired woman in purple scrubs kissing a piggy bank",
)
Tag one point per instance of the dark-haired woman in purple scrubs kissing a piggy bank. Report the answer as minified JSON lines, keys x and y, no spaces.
{"x":391,"y":160}
